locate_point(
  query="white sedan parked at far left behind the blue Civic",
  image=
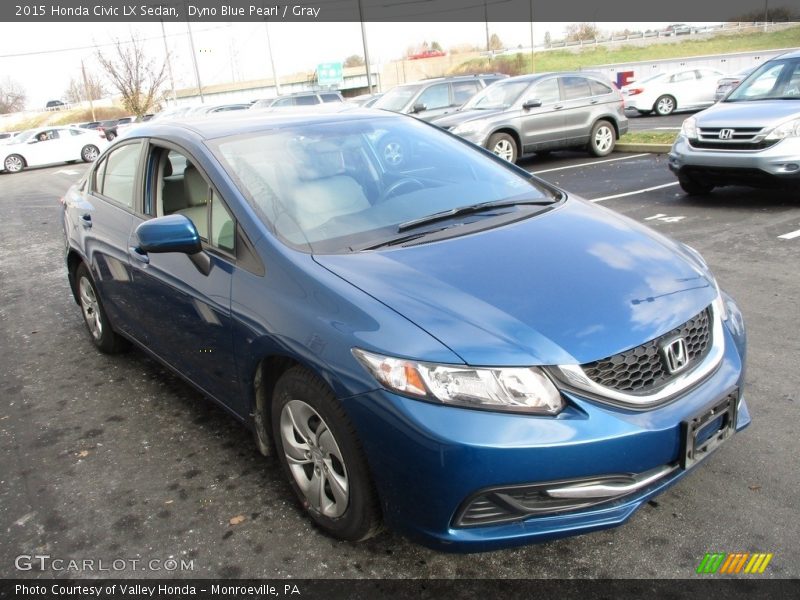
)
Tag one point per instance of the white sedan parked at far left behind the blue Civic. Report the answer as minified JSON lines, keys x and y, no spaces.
{"x":49,"y":145}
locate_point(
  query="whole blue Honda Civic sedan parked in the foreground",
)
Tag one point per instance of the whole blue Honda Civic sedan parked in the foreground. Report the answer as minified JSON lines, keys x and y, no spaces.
{"x":454,"y":348}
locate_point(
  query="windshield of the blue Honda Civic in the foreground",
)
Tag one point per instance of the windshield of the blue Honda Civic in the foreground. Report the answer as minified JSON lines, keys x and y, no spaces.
{"x":339,"y":186}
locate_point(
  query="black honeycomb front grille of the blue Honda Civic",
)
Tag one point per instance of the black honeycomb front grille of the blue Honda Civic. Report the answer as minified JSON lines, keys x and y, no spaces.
{"x":641,"y":370}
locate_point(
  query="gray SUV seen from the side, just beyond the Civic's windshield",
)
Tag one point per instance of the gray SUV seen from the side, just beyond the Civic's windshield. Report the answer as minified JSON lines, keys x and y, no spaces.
{"x":542,"y":112}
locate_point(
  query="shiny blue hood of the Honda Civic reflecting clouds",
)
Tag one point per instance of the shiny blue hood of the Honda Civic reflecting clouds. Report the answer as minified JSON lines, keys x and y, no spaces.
{"x":572,"y":285}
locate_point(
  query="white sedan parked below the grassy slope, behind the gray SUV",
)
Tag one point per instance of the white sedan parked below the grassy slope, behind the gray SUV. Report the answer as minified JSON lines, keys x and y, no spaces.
{"x":667,"y":92}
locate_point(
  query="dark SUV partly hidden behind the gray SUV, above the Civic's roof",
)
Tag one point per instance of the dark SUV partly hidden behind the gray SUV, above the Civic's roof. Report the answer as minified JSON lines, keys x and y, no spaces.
{"x":432,"y":98}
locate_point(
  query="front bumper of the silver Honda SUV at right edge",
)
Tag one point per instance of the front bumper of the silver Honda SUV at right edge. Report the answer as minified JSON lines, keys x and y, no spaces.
{"x":777,"y":165}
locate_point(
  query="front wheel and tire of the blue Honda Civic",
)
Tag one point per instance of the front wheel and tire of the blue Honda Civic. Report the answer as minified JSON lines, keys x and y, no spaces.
{"x":328,"y":448}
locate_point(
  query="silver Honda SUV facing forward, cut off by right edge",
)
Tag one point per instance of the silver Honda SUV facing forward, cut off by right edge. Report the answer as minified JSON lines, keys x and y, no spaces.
{"x":751,"y":137}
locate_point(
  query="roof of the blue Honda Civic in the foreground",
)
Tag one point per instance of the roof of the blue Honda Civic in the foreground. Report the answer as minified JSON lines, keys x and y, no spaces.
{"x":209,"y":127}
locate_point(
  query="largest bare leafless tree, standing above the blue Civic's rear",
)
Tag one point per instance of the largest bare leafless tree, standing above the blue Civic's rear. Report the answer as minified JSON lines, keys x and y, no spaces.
{"x":137,"y":77}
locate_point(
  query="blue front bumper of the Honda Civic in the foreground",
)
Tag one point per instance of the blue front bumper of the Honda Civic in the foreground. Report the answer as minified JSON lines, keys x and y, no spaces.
{"x":428,"y":461}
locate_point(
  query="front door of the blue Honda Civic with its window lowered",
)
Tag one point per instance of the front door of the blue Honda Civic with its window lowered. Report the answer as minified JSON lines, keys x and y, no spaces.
{"x":184,"y":312}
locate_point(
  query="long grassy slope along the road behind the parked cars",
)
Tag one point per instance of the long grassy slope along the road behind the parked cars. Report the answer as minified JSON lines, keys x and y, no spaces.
{"x":566,"y":60}
